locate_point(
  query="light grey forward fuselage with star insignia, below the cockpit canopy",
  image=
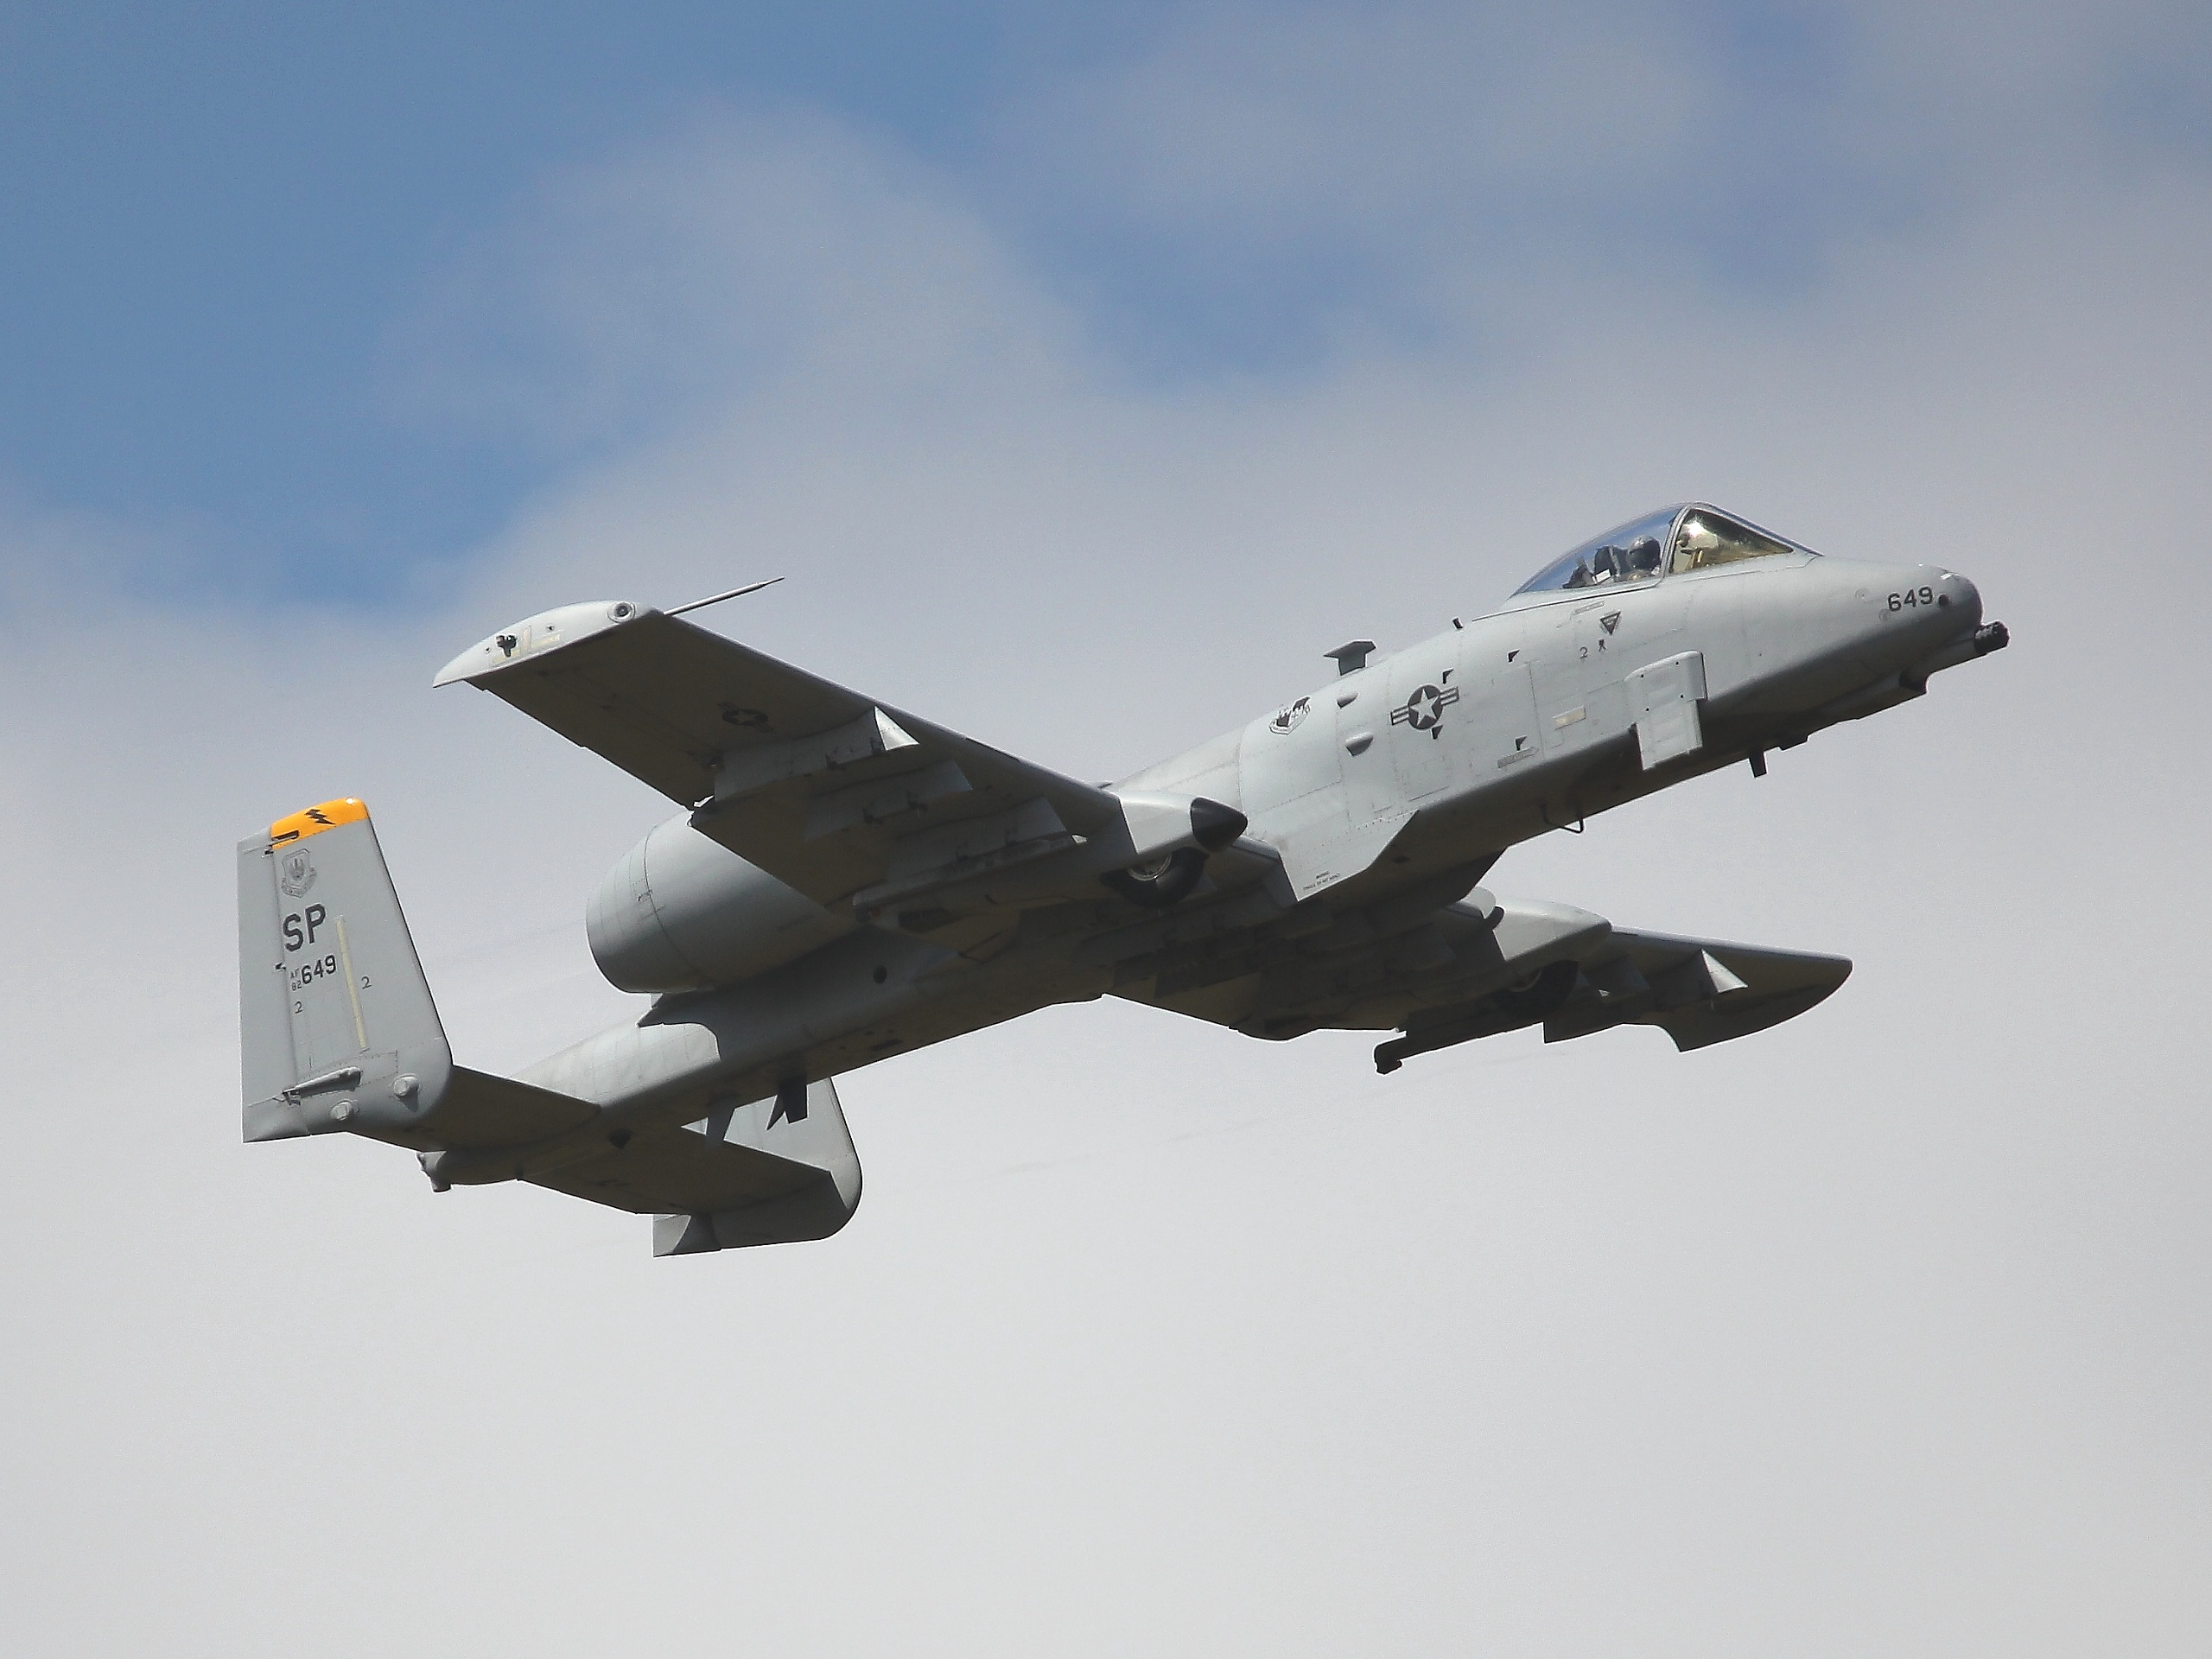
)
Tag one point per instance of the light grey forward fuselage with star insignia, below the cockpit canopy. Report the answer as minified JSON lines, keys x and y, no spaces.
{"x":1521,"y":722}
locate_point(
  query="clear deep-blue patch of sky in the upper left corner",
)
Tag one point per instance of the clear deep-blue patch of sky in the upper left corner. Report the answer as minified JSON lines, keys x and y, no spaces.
{"x":216,"y":211}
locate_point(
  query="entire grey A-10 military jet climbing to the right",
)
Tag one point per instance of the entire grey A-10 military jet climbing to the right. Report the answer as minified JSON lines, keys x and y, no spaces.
{"x":848,"y":881}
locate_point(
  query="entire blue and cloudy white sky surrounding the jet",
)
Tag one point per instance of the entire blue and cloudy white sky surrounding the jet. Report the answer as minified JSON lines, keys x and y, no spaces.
{"x":1087,"y":379}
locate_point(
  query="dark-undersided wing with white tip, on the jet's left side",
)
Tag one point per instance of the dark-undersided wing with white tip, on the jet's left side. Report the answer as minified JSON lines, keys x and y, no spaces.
{"x":824,"y":789}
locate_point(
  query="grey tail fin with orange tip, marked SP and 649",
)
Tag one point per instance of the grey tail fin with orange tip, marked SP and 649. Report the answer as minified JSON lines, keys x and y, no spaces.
{"x":337,"y":1025}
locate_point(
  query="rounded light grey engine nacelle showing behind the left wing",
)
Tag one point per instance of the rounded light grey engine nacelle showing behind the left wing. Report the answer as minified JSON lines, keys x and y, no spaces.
{"x":682,"y":912}
